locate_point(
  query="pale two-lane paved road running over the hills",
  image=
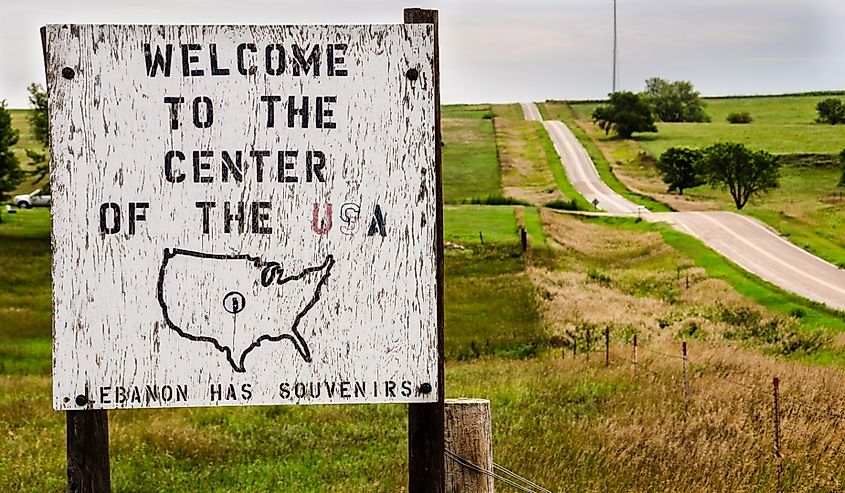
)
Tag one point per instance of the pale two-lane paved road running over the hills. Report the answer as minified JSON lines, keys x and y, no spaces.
{"x":745,"y":241}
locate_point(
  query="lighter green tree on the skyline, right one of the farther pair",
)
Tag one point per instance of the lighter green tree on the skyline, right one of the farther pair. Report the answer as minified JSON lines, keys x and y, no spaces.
{"x":675,"y":101}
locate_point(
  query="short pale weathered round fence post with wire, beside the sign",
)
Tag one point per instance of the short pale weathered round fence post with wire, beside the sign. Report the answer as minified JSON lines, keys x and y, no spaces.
{"x":469,"y":436}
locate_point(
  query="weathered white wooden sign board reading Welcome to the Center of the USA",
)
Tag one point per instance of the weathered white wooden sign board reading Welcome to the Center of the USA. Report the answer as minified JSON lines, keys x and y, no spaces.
{"x":243,"y":215}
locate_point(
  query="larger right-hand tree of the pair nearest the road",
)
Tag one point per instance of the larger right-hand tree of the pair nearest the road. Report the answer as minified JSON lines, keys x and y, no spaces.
{"x":739,"y":169}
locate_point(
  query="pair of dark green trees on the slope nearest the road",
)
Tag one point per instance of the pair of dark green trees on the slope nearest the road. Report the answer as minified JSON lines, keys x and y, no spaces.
{"x":744,"y":172}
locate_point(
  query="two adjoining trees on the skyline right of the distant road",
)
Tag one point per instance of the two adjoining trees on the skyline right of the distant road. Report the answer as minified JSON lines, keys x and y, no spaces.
{"x":628,"y":112}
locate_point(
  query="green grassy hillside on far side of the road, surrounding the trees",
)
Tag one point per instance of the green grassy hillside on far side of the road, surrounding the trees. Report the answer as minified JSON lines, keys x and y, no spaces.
{"x":807,"y":207}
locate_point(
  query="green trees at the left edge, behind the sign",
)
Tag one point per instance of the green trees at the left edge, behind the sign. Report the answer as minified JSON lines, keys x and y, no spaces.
{"x":11,"y":173}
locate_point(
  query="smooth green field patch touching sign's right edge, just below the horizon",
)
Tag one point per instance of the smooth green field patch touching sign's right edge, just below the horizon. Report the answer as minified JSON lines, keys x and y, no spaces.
{"x":470,"y":164}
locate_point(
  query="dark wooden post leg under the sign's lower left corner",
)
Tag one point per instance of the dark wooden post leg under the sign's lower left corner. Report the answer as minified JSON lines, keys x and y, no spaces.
{"x":88,"y":451}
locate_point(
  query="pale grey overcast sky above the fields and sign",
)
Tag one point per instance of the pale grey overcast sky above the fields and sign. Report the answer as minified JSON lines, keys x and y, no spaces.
{"x":504,"y":51}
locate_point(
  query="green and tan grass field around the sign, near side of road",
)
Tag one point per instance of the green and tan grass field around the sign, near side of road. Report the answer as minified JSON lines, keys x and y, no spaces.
{"x":567,"y":423}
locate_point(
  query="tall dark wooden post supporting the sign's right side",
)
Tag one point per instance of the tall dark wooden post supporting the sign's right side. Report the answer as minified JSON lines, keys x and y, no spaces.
{"x":426,"y":425}
